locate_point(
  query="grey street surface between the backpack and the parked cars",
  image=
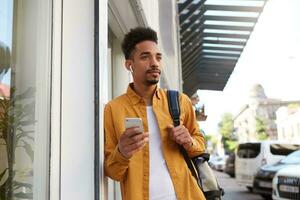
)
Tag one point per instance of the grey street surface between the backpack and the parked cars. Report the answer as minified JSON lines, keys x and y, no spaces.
{"x":232,"y":190}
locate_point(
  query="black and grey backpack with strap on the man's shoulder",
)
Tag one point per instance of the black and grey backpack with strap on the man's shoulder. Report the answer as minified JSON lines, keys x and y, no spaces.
{"x":198,"y":165}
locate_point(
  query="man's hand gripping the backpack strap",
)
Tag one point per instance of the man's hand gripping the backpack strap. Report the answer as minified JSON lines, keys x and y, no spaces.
{"x":181,"y":135}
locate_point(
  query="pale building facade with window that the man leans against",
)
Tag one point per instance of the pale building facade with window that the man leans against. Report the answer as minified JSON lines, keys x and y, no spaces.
{"x":60,"y":62}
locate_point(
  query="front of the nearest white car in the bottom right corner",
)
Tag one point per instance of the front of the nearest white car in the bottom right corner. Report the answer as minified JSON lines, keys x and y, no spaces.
{"x":286,"y":183}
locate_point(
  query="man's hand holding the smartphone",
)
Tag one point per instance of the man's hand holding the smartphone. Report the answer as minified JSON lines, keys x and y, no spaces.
{"x":131,"y":141}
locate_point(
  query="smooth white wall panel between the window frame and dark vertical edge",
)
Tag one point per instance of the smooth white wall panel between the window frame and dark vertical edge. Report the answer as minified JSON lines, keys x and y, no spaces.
{"x":77,"y":120}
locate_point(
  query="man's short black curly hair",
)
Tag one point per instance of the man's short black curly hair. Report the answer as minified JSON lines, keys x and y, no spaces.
{"x":135,"y":36}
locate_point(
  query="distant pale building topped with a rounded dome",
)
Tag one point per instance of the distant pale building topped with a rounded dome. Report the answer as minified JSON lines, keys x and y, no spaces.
{"x":259,"y":107}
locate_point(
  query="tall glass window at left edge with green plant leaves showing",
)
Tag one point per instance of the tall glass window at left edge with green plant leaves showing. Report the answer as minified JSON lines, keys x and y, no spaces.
{"x":24,"y":98}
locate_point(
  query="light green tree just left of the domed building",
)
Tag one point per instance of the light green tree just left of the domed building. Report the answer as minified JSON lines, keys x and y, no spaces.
{"x":226,"y":130}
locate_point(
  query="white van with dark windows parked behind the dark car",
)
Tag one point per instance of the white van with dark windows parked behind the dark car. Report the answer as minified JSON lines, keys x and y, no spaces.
{"x":251,"y":156}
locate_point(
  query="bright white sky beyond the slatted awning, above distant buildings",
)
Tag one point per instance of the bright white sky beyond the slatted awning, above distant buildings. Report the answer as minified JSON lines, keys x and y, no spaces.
{"x":271,"y":58}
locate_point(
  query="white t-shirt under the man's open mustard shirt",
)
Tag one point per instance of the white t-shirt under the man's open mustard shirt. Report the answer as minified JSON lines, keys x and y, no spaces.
{"x":160,"y":183}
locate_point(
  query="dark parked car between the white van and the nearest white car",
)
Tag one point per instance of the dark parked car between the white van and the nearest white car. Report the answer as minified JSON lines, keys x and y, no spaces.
{"x":263,"y":179}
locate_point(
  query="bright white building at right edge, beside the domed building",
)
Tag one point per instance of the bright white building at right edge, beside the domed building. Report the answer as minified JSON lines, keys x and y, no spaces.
{"x":288,"y":123}
